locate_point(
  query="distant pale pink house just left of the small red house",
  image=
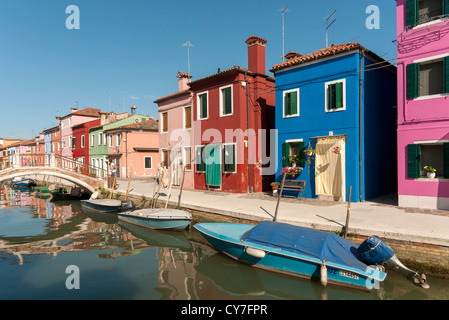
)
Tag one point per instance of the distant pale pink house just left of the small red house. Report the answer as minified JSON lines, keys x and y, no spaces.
{"x":66,"y":123}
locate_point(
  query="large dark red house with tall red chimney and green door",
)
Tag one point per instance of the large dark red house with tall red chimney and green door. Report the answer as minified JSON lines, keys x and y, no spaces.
{"x":232,"y":109}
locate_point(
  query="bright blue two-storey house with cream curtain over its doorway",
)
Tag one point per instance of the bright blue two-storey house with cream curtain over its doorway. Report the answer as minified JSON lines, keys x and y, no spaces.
{"x":341,"y":103}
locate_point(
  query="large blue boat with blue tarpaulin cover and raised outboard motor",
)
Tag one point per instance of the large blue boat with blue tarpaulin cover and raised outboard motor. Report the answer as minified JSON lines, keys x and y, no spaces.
{"x":304,"y":252}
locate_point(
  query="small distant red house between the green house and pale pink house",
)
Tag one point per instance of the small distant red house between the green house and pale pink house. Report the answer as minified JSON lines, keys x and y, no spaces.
{"x":80,"y":140}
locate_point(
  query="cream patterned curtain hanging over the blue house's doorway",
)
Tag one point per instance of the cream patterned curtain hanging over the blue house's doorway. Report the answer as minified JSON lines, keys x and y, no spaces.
{"x":330,"y":166}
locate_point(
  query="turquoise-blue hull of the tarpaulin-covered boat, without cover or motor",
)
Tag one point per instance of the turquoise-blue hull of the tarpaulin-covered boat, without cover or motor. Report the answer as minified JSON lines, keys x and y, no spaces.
{"x":280,"y":261}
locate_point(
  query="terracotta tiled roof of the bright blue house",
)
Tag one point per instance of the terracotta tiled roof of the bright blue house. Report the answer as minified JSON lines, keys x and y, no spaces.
{"x":326,"y":52}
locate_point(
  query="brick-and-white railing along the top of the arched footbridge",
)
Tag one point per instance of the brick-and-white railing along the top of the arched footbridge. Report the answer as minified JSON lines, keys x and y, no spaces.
{"x":52,"y":161}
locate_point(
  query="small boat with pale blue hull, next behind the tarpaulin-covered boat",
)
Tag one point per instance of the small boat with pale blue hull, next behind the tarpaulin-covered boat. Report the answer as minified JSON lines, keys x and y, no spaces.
{"x":167,"y":219}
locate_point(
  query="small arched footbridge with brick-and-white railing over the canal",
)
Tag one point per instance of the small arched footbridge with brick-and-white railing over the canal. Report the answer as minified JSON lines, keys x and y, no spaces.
{"x":83,"y":175}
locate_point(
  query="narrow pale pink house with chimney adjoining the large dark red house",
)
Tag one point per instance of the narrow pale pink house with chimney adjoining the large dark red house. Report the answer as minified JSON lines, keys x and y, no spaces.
{"x":176,"y":132}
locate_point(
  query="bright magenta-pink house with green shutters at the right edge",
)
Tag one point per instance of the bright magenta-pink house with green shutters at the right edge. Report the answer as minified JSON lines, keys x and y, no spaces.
{"x":423,"y":102}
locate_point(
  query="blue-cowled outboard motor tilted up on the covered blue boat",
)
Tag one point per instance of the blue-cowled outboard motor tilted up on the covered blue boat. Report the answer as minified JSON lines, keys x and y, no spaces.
{"x":374,"y":251}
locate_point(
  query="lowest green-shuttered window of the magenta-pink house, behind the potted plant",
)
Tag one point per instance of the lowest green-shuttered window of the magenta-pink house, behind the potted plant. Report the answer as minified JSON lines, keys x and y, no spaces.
{"x":428,"y":154}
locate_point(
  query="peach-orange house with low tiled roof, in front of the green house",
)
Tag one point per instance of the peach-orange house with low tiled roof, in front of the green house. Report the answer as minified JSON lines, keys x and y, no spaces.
{"x":135,"y":148}
